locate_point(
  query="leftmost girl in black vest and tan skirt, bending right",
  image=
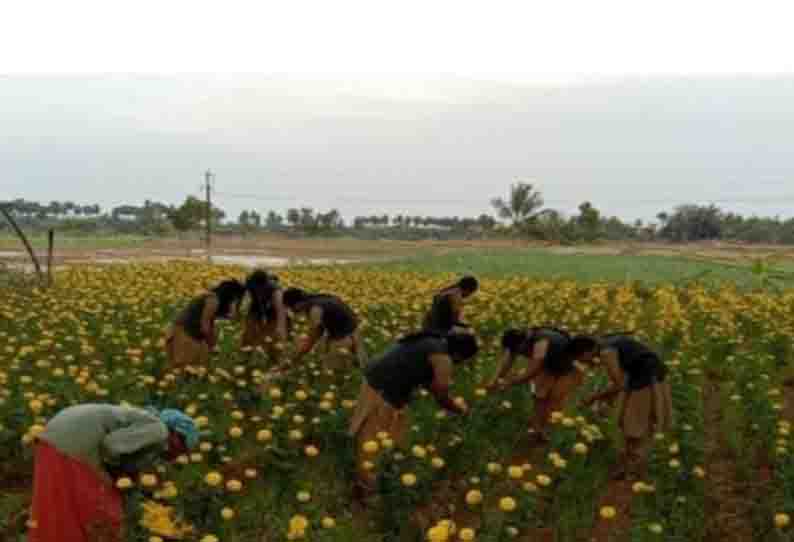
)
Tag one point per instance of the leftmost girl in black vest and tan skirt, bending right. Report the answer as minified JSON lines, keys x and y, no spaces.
{"x":193,"y":336}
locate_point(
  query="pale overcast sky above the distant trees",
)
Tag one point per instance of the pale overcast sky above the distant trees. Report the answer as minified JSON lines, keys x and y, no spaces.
{"x":427,"y":108}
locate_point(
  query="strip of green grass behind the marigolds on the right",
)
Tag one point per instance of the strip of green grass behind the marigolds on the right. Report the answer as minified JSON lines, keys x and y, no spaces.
{"x":501,"y":263}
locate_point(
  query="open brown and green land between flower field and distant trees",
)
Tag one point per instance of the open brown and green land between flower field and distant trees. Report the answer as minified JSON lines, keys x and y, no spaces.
{"x":495,"y":258}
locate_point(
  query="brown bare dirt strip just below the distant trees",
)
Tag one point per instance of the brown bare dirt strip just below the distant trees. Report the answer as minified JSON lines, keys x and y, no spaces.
{"x":275,"y":251}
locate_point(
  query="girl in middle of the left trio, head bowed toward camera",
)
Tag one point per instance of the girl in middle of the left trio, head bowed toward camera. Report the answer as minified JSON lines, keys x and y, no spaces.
{"x":266,"y":322}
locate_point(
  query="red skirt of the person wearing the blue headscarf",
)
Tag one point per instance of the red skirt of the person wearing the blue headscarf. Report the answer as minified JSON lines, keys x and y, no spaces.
{"x":71,"y":502}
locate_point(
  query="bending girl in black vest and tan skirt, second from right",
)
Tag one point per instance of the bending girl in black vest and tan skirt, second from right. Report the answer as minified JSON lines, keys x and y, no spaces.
{"x":552,"y":369}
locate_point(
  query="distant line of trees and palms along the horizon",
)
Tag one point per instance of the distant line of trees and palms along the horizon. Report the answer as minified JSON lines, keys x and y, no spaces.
{"x":522,"y":214}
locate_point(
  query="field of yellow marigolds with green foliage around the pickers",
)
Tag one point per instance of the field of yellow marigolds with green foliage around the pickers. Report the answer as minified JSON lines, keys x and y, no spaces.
{"x":277,"y":462}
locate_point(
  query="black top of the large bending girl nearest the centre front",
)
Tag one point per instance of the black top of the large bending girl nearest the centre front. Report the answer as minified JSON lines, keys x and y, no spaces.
{"x":403,"y":368}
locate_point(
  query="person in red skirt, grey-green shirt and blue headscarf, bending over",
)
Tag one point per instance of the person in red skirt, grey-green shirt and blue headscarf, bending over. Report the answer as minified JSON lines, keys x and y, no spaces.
{"x":74,"y":495}
